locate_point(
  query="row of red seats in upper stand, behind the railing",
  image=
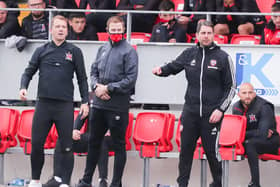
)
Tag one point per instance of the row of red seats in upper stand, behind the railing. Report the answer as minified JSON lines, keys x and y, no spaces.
{"x":138,"y":37}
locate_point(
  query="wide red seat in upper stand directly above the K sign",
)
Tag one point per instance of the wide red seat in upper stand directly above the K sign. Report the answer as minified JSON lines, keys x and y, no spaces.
{"x":245,"y":39}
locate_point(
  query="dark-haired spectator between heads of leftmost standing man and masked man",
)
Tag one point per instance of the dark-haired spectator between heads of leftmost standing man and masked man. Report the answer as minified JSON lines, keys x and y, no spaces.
{"x":79,"y":30}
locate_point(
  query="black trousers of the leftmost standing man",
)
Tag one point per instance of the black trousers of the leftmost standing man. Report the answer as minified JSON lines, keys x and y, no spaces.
{"x":47,"y":112}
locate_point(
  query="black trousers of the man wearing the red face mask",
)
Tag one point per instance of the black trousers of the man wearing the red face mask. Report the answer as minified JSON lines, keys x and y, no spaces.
{"x":100,"y":121}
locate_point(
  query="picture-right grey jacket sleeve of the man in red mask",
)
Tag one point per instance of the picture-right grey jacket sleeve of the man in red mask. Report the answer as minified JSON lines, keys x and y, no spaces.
{"x":131,"y":71}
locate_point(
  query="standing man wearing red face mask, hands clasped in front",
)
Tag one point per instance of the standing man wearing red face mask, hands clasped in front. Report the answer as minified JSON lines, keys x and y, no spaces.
{"x":113,"y":77}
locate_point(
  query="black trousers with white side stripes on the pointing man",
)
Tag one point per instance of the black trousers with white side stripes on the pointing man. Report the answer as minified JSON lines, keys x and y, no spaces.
{"x":193,"y":127}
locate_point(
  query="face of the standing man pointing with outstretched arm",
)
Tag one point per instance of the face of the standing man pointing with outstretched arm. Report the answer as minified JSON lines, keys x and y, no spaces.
{"x":205,"y":36}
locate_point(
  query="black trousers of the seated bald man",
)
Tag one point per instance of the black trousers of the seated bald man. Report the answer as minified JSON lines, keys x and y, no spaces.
{"x":256,"y":146}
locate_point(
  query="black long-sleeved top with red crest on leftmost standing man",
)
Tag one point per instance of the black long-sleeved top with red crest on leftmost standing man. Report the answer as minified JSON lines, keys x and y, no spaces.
{"x":56,"y":65}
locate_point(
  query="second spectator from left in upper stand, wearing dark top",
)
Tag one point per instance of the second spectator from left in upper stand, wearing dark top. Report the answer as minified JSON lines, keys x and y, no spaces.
{"x":36,"y":24}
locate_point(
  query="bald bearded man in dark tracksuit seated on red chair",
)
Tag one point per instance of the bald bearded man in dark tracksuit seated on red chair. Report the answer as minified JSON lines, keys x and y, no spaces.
{"x":261,"y":135}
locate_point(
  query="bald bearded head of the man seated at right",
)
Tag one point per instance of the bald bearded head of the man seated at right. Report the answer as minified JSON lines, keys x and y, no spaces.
{"x":246,"y":94}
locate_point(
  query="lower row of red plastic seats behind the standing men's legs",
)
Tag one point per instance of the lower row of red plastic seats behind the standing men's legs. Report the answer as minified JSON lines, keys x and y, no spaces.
{"x":152,"y":134}
